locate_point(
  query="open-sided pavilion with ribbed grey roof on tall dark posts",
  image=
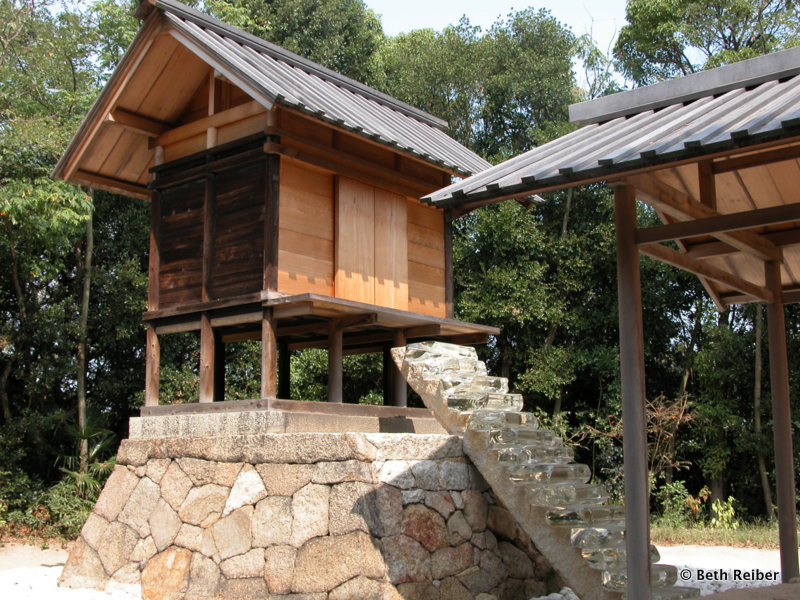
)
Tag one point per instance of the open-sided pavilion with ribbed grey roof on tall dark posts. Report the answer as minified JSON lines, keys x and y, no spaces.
{"x":717,"y":155}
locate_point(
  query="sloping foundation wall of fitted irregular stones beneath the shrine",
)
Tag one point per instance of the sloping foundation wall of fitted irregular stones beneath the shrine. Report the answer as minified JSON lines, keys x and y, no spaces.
{"x":312,"y":516}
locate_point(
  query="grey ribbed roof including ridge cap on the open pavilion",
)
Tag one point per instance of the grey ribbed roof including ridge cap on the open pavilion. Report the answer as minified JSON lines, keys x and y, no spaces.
{"x":722,"y":110}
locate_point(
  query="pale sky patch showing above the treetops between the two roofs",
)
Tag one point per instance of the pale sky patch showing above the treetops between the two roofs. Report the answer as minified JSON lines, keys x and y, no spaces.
{"x":603,"y":18}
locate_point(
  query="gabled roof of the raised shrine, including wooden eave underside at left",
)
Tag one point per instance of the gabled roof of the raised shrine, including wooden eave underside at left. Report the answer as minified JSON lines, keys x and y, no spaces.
{"x":267,"y":73}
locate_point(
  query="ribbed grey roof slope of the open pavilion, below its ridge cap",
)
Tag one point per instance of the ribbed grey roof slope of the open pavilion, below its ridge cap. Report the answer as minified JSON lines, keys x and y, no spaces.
{"x":739,"y":117}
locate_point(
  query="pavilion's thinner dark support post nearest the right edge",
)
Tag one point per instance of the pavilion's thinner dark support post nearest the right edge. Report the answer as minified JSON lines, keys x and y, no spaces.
{"x":782,"y":420}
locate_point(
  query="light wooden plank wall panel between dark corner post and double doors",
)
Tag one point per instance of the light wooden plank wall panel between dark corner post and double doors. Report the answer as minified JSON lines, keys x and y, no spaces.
{"x":306,"y":230}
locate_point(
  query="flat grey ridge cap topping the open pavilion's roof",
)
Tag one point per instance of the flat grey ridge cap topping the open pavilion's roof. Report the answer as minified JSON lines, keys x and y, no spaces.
{"x":746,"y":73}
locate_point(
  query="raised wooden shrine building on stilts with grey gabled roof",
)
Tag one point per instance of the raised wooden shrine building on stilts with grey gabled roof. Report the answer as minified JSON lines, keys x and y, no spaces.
{"x":284,"y":200}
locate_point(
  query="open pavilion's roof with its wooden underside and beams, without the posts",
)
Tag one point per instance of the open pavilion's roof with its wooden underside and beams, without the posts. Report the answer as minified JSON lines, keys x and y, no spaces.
{"x":721,"y":170}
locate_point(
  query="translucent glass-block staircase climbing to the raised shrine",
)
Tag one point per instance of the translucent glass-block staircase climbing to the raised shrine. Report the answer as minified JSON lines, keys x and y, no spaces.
{"x":531,"y":472}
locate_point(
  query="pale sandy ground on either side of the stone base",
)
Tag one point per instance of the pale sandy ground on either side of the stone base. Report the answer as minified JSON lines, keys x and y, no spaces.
{"x":31,"y":573}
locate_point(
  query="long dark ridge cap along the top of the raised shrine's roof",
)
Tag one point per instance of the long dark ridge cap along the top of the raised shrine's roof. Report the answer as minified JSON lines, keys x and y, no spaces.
{"x":201,"y":19}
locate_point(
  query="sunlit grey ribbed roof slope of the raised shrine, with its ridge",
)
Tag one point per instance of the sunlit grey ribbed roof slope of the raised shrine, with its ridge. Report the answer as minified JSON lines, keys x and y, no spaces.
{"x":273,"y":74}
